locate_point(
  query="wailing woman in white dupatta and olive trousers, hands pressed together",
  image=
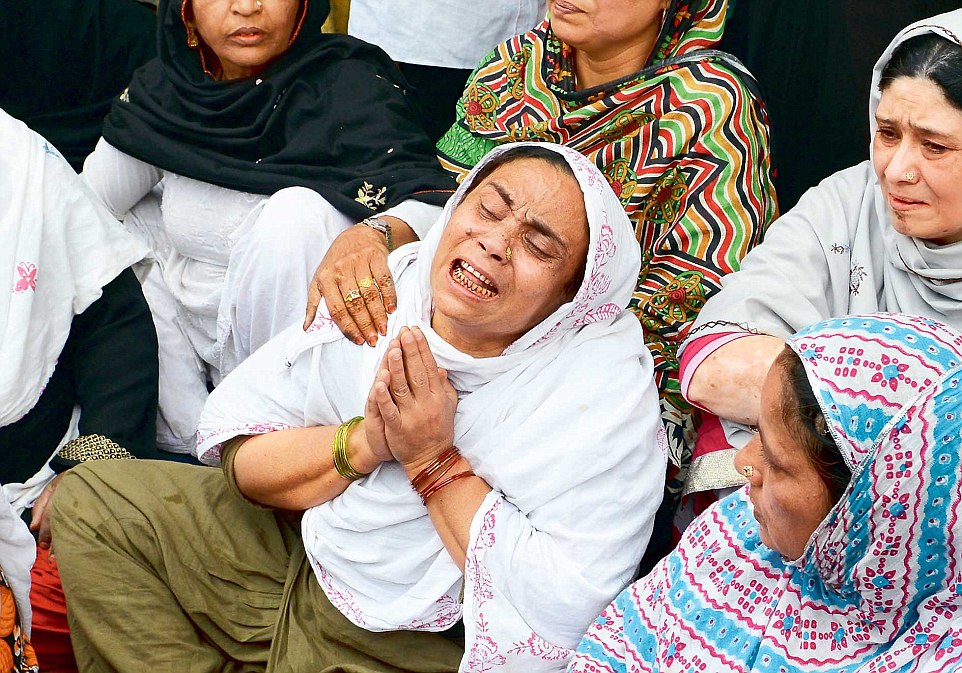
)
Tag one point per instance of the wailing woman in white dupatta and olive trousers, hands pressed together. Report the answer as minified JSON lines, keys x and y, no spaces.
{"x":510,"y":343}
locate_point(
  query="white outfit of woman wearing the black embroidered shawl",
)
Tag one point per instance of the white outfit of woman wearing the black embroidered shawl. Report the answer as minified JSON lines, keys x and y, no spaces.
{"x":231,"y":270}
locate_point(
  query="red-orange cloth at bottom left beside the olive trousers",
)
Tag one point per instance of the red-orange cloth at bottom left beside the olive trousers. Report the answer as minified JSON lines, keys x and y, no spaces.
{"x":50,"y":636}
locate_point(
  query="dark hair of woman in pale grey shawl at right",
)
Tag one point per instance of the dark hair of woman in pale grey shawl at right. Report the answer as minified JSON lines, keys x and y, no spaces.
{"x":928,"y":56}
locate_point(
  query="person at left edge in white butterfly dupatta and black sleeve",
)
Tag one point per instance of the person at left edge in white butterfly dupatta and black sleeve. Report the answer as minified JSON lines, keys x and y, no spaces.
{"x":76,"y":341}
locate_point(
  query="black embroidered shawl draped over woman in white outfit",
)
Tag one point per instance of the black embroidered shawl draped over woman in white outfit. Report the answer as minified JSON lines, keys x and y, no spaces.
{"x":330,"y":114}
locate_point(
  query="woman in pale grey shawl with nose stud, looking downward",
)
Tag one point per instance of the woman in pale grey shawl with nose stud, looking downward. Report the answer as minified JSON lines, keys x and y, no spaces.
{"x":884,"y":235}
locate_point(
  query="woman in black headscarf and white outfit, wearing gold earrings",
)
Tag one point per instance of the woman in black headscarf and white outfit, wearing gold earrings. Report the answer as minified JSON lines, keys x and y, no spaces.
{"x":247,"y":98}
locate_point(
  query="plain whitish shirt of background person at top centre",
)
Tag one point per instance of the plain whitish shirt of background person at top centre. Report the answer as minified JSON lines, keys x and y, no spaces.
{"x":445,"y":33}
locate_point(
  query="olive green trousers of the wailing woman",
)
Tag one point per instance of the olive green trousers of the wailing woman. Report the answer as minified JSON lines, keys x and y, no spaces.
{"x":165,"y":569}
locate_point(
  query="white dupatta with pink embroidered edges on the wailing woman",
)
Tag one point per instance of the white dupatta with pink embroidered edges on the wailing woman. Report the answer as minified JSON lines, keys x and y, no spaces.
{"x":564,"y":426}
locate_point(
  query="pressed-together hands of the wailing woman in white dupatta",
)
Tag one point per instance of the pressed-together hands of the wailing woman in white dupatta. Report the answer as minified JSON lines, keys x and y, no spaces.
{"x":410,"y":410}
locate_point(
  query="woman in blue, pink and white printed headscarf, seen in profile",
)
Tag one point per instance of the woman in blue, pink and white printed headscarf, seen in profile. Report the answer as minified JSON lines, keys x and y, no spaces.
{"x":842,"y":554}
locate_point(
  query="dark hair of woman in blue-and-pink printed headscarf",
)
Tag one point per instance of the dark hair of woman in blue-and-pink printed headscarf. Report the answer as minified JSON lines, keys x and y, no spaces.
{"x":803,"y":416}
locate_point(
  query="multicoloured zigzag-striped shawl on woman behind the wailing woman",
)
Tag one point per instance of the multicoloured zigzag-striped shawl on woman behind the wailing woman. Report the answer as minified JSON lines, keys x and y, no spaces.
{"x":684,"y":144}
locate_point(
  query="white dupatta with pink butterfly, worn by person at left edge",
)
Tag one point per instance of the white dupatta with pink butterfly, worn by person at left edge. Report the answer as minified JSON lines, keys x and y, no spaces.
{"x":58,"y":248}
